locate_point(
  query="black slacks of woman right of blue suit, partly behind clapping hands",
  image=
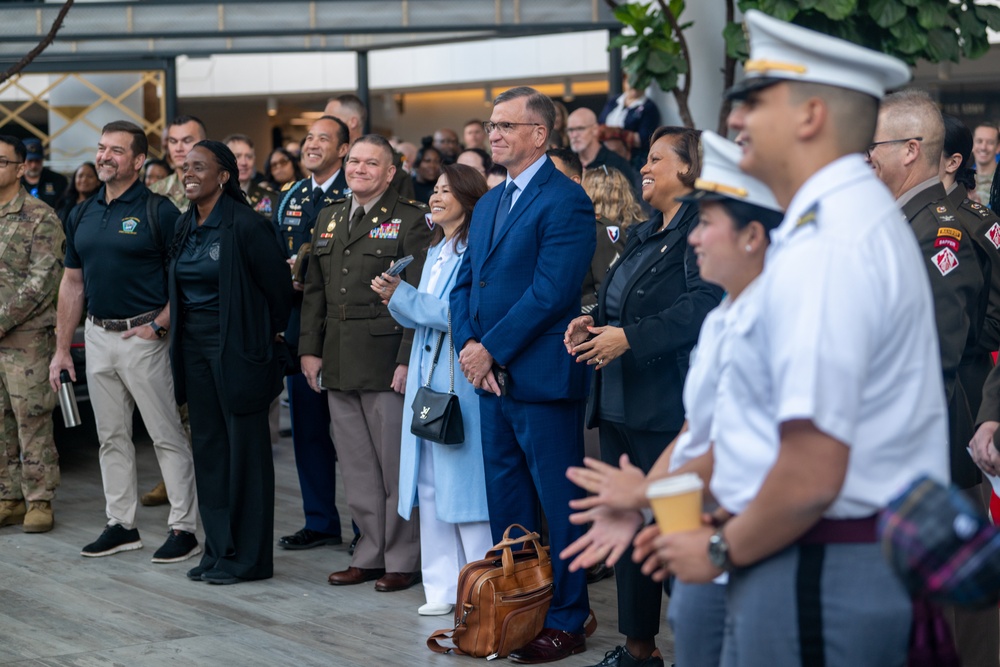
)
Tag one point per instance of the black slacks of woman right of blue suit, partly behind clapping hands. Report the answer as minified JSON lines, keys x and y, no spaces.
{"x":638,"y":596}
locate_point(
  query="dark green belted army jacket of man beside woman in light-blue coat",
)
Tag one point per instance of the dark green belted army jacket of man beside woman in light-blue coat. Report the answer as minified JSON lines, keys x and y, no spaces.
{"x":343,"y":320}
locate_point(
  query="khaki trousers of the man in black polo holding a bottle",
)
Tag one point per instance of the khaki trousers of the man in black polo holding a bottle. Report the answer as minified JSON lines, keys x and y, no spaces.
{"x":123,"y":374}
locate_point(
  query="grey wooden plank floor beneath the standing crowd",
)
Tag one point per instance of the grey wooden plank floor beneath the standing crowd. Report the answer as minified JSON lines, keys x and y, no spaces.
{"x":58,"y":608}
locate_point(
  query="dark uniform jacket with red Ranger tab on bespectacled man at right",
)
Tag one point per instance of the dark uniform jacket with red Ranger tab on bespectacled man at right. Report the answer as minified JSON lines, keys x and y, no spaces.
{"x":960,"y":297}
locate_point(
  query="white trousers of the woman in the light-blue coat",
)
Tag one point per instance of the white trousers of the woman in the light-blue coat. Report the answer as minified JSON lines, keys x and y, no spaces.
{"x":444,"y":547}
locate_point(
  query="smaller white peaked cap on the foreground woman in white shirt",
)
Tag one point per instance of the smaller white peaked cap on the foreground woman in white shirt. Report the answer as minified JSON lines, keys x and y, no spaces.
{"x":721,"y":177}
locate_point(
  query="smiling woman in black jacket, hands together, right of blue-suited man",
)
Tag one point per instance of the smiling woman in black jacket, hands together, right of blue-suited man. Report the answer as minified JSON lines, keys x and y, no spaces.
{"x":649,"y":311}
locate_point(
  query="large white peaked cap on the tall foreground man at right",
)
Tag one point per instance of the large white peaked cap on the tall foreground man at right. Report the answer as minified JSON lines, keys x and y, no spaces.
{"x":781,"y":51}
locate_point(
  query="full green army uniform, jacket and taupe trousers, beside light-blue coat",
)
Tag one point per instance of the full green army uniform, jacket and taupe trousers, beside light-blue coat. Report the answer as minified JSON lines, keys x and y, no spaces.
{"x":345,"y":323}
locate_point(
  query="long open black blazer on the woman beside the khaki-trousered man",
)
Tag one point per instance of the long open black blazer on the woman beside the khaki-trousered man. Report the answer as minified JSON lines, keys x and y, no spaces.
{"x":255,"y":296}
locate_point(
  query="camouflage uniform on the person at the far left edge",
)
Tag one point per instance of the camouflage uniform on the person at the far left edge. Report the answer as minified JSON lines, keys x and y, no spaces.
{"x":32,"y":245}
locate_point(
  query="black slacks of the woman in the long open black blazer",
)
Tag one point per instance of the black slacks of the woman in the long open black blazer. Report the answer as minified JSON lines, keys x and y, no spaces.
{"x":233,"y":467}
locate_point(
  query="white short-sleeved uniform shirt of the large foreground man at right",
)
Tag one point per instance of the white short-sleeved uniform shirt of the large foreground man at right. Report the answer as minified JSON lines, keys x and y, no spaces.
{"x":844,"y":336}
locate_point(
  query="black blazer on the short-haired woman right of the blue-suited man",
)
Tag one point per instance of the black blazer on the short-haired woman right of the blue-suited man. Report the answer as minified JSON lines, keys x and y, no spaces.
{"x":663,"y":306}
